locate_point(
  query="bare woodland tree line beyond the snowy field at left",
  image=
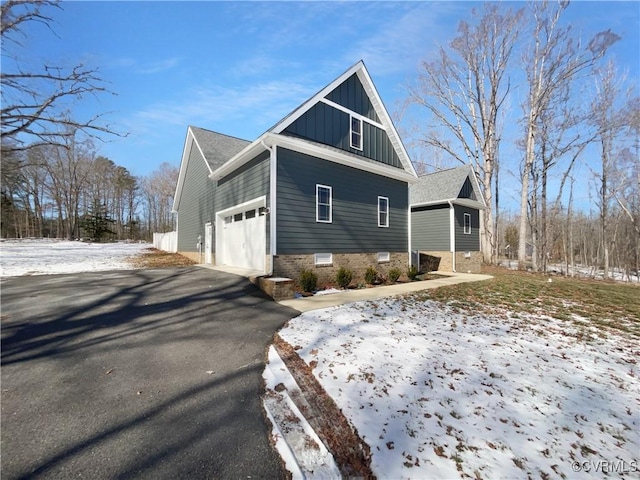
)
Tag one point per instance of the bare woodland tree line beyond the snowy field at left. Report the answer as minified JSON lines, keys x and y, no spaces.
{"x":70,"y":191}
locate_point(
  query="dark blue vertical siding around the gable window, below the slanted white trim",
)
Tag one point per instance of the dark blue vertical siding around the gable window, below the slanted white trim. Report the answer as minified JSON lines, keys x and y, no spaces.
{"x":330,"y":126}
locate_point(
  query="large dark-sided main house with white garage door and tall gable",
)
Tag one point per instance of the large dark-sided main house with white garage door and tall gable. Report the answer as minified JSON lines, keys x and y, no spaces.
{"x":324,"y":188}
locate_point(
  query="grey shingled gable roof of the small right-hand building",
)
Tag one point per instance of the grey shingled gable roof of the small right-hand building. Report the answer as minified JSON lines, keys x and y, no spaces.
{"x":444,"y":186}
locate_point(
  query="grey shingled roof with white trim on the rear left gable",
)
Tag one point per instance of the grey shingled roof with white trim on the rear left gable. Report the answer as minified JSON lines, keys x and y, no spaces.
{"x":215,"y":148}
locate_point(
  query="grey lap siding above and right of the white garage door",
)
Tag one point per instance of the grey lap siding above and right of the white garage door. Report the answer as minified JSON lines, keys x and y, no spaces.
{"x":246,"y":183}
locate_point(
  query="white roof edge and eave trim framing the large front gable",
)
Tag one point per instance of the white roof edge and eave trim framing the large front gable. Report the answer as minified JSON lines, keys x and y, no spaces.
{"x":273,"y":135}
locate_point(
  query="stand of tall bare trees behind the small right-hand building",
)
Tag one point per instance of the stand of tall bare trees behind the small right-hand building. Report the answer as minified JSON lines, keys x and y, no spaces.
{"x":528,"y":70}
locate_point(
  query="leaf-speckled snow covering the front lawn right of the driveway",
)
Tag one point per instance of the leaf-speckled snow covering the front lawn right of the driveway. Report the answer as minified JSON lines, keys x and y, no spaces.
{"x":440,"y":394}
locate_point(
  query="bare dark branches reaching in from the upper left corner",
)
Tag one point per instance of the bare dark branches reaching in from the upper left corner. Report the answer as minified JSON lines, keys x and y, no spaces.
{"x":36,"y":99}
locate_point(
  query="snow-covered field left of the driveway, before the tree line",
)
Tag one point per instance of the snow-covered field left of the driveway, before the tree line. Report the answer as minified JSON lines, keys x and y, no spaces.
{"x":41,"y":257}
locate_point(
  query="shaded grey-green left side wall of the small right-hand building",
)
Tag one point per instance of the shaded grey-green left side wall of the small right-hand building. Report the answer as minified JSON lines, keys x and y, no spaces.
{"x":430,"y":228}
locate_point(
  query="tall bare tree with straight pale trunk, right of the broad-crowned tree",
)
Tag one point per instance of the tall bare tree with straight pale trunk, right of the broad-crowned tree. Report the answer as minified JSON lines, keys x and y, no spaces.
{"x":553,"y":63}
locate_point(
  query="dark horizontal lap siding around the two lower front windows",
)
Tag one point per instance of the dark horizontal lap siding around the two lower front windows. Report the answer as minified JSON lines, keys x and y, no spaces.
{"x":354,"y":228}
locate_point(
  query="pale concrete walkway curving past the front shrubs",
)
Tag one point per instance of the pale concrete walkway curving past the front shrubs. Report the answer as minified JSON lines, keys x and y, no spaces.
{"x":349,"y":296}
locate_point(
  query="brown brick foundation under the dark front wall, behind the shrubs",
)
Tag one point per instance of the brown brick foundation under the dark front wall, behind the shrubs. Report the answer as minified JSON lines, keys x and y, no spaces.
{"x":291,"y":265}
